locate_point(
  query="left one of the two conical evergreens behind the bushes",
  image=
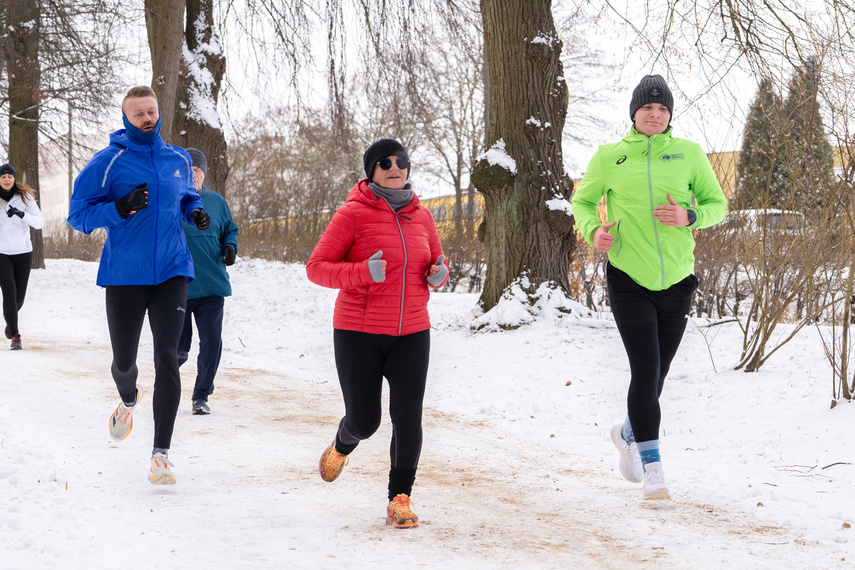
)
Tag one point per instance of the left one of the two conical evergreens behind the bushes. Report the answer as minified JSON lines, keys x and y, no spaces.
{"x":758,"y":168}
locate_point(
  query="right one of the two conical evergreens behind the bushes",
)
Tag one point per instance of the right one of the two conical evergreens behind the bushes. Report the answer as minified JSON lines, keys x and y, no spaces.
{"x":807,"y":155}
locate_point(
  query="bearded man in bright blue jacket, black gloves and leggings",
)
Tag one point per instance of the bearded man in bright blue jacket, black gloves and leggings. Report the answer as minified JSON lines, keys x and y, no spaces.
{"x":139,"y":189}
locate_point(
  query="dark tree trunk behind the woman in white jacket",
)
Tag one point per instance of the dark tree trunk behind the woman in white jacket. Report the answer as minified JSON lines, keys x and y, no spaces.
{"x":22,"y":60}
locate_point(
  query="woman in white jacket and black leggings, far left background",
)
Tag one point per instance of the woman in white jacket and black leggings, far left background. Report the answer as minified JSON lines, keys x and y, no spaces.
{"x":16,"y":250}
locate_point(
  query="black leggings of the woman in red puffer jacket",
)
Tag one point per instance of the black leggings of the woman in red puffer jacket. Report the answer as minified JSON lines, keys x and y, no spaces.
{"x":362,"y":360}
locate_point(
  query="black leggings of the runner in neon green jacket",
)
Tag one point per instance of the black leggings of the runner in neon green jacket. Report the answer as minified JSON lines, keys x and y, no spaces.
{"x":651,"y":325}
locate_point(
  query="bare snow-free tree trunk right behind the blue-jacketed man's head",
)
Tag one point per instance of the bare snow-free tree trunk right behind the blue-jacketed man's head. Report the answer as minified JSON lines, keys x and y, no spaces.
{"x":164,"y":20}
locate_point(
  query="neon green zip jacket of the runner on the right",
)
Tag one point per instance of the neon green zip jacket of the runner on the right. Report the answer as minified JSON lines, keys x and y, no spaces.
{"x":635,"y":175}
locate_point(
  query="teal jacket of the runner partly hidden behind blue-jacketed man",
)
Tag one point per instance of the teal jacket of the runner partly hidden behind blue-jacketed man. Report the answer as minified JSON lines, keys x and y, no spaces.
{"x":206,"y":247}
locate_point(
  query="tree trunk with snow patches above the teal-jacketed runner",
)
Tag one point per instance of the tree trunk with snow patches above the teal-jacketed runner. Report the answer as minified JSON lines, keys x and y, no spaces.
{"x":196,"y":123}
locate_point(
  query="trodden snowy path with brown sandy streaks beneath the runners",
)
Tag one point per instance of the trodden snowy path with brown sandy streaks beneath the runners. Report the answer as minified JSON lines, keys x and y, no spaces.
{"x":249,"y":492}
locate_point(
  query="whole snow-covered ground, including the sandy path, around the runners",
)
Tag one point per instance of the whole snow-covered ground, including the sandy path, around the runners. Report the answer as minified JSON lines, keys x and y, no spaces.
{"x":517,"y":467}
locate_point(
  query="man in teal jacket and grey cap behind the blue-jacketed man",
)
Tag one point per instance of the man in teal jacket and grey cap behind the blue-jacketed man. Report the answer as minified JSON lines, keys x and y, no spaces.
{"x":212,"y":251}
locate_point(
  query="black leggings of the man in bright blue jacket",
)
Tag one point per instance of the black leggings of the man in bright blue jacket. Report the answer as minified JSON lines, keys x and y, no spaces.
{"x":126,"y":309}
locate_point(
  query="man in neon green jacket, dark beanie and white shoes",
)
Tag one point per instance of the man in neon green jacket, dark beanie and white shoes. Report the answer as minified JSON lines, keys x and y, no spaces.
{"x":657,"y":189}
